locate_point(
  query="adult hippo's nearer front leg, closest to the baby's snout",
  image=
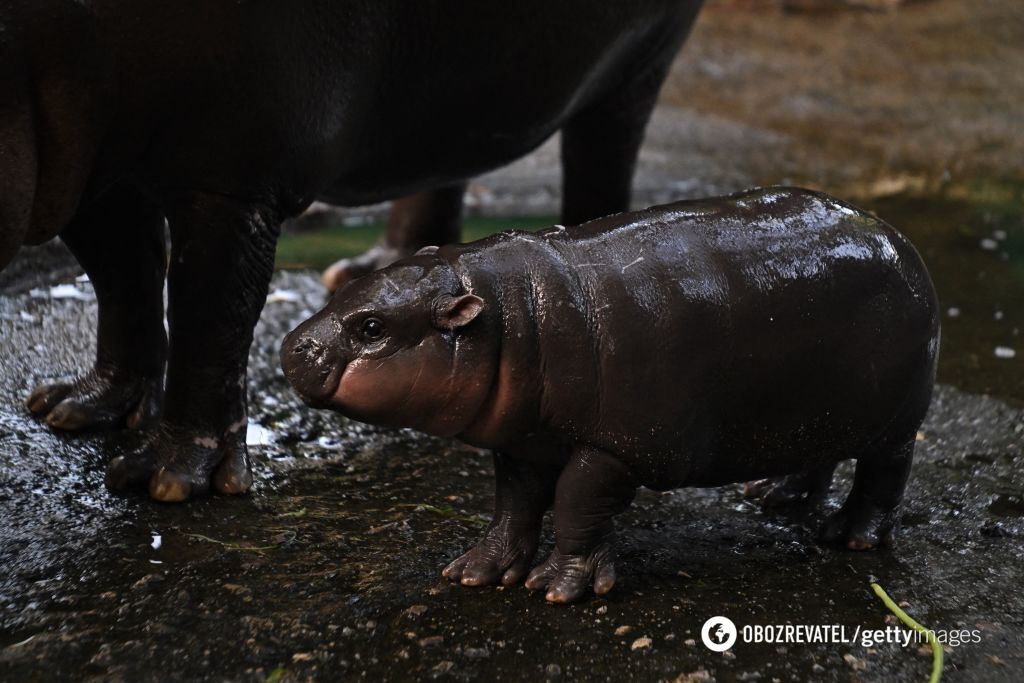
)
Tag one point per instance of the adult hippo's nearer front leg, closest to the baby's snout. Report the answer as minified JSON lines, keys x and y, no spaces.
{"x":222,"y":263}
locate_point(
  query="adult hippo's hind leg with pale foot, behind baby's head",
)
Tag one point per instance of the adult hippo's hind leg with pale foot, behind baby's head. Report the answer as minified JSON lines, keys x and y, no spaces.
{"x":432,"y":218}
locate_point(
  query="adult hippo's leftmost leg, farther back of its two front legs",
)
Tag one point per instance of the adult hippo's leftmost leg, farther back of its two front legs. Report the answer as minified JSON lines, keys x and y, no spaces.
{"x":120,"y":244}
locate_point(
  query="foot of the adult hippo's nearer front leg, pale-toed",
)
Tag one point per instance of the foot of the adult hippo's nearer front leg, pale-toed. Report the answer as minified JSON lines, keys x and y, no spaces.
{"x":178,"y":465}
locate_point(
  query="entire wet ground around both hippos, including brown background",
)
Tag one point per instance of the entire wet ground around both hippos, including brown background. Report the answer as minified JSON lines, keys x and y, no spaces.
{"x":331,"y":568}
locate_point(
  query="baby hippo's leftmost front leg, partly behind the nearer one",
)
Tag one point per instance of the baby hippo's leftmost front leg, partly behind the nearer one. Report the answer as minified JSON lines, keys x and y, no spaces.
{"x":524,"y":492}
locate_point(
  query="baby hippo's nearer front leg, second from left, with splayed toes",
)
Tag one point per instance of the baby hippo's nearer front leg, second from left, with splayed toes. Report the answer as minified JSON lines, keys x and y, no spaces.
{"x":592,"y":490}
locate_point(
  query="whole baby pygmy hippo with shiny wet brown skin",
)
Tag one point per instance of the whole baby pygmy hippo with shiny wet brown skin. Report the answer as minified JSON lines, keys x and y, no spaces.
{"x":772,"y":333}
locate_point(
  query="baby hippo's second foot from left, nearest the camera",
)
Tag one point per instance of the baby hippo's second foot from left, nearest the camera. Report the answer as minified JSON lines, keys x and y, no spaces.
{"x":566,"y":578}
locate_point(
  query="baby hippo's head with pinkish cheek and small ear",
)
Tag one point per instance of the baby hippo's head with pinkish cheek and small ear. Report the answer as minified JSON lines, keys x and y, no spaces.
{"x":388,"y":347}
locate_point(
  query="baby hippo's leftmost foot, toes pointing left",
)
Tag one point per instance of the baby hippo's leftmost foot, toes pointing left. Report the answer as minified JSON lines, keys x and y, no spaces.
{"x":503,"y":554}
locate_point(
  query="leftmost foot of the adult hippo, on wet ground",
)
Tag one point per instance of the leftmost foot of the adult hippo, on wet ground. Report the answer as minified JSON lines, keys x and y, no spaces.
{"x":99,"y":400}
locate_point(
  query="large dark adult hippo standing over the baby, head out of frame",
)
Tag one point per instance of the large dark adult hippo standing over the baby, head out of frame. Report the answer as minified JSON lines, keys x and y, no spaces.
{"x":227,"y":118}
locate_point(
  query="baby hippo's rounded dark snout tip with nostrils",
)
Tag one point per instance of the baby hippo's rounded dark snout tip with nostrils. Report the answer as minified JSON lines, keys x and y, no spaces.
{"x":313,"y":360}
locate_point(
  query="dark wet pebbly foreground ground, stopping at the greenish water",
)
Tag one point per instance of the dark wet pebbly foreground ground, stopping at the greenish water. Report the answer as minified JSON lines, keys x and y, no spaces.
{"x":331,"y":568}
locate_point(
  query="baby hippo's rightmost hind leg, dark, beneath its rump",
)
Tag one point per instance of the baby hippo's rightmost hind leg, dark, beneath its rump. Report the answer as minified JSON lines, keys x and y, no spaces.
{"x":871,"y":511}
